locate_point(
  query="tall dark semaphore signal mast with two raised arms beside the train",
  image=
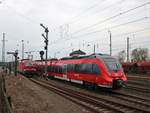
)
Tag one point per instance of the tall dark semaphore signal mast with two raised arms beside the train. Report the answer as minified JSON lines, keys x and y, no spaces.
{"x":46,"y":45}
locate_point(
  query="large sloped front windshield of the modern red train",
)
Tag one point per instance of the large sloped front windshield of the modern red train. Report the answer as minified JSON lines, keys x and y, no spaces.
{"x":112,"y":64}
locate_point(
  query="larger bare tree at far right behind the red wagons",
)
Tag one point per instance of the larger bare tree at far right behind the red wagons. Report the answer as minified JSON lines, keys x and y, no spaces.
{"x":139,"y":54}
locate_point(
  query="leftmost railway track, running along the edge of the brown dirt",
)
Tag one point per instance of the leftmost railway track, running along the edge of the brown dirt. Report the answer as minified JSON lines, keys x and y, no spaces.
{"x":72,"y":97}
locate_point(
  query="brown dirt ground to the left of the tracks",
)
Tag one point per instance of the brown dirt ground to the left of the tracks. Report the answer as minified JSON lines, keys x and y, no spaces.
{"x":28,"y":97}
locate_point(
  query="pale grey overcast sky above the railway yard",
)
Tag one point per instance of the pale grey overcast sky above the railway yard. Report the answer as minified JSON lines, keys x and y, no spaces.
{"x":74,"y":24}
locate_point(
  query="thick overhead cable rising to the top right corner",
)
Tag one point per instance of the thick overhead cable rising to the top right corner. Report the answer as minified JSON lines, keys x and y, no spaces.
{"x":112,"y":17}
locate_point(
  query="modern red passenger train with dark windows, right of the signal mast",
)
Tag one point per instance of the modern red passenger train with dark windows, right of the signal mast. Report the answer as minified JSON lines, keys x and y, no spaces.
{"x":96,"y":70}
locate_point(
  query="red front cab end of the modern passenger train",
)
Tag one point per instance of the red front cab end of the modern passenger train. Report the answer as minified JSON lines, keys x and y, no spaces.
{"x":114,"y":75}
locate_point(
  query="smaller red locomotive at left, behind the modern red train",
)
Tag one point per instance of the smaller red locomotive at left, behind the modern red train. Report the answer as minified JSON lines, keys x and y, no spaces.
{"x":26,"y":67}
